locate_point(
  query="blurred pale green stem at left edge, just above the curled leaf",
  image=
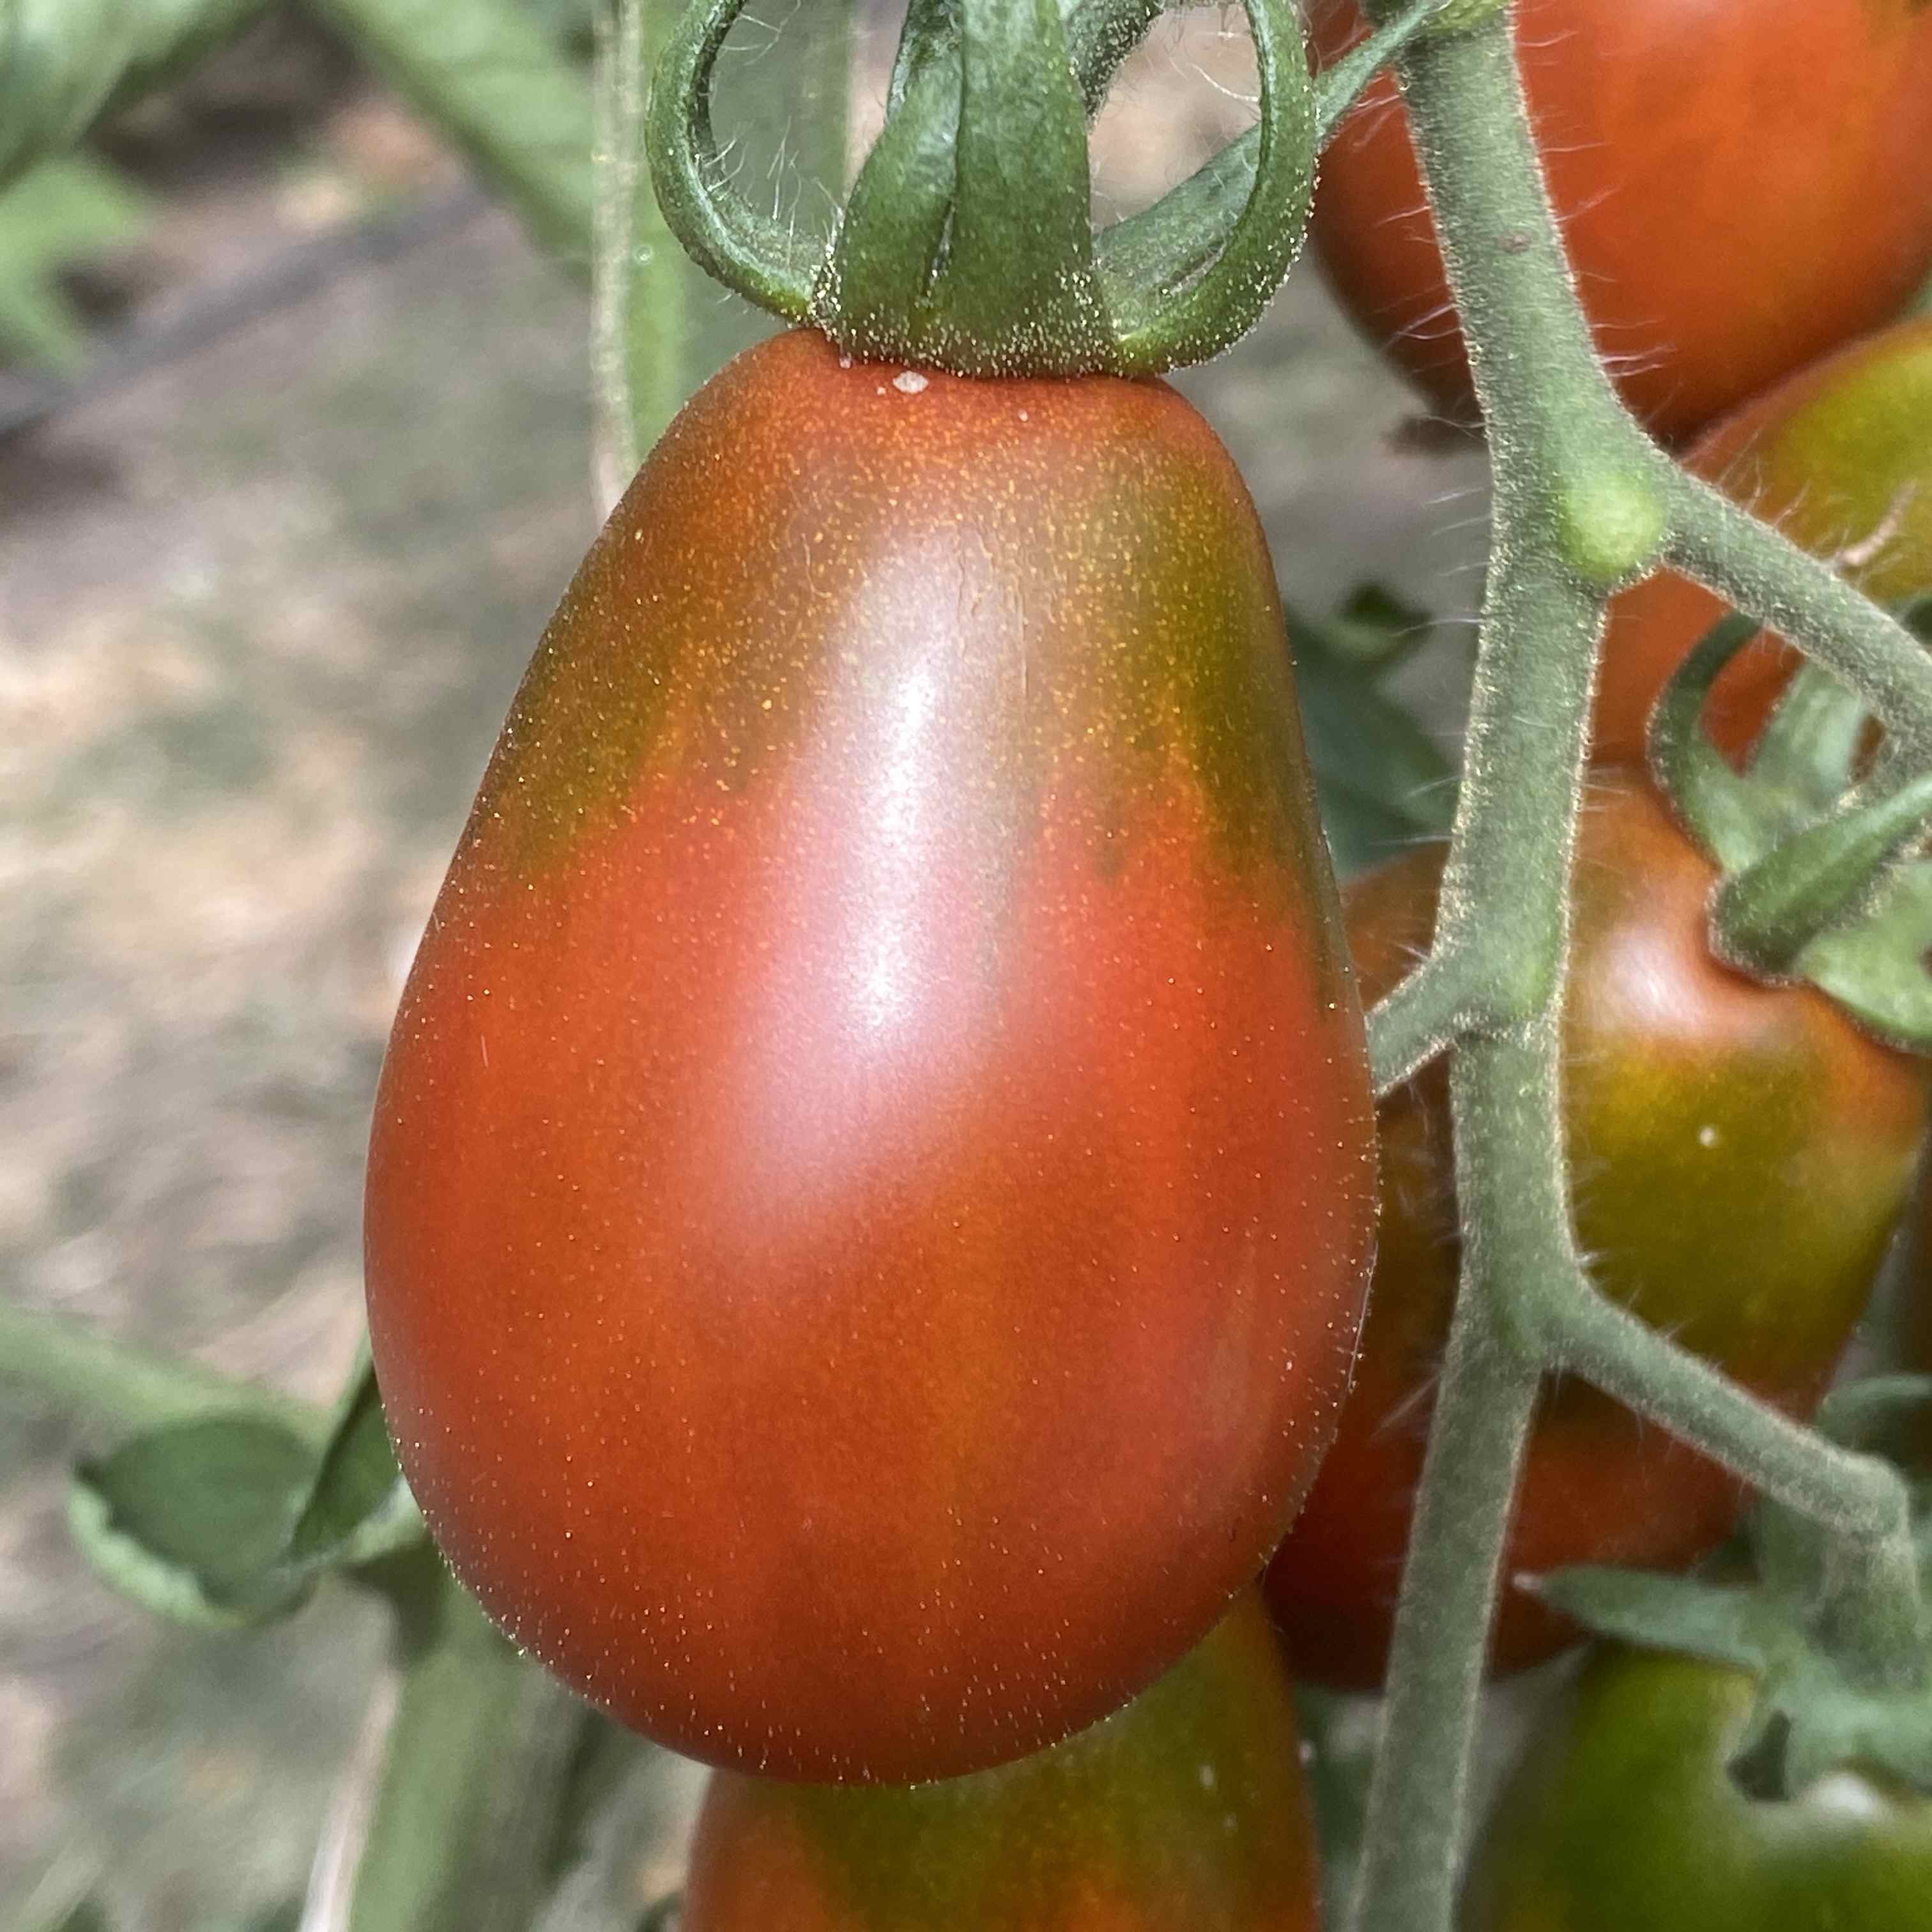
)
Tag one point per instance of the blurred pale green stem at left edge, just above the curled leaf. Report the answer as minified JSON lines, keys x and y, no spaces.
{"x":128,"y":1388}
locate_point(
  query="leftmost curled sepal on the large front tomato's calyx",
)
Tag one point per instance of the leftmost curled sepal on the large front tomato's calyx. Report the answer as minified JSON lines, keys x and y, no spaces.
{"x":731,"y":241}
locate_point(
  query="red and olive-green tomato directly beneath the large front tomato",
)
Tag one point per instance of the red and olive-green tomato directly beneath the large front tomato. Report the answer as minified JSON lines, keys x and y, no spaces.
{"x":1185,"y":1809}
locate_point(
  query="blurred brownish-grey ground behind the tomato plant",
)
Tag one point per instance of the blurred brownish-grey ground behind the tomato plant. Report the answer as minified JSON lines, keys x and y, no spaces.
{"x":262,"y":610}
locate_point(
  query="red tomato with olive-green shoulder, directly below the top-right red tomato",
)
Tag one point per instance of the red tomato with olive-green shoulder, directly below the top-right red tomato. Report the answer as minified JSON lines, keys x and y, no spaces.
{"x":1840,"y":459}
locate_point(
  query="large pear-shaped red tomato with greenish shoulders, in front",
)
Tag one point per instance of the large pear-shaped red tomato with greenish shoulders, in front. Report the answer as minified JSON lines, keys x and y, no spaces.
{"x":874,"y":1174}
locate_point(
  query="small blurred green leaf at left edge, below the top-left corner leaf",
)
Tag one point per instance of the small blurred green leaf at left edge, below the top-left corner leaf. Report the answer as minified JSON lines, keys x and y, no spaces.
{"x":49,"y":219}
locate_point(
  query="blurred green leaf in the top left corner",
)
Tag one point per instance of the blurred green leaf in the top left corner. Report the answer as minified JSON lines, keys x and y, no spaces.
{"x":67,"y":63}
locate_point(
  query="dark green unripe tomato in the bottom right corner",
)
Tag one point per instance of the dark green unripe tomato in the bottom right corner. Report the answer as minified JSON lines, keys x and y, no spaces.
{"x":1624,"y":1815}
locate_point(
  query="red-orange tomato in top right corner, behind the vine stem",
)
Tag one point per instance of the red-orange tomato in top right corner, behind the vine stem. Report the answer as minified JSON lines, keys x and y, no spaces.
{"x":1740,"y":188}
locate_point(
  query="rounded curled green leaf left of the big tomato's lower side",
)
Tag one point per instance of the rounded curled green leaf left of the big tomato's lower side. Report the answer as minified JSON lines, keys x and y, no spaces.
{"x":194,"y":1520}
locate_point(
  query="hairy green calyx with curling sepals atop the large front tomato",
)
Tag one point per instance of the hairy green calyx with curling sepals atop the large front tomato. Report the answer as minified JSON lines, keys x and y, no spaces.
{"x":967,"y":241}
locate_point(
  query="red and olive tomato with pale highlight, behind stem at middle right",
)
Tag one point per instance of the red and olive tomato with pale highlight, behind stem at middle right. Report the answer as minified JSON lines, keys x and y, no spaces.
{"x":1740,"y":1156}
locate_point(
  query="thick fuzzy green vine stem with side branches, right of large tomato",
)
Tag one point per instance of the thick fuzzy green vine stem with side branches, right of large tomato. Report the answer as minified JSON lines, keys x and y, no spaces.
{"x":1583,"y":503}
